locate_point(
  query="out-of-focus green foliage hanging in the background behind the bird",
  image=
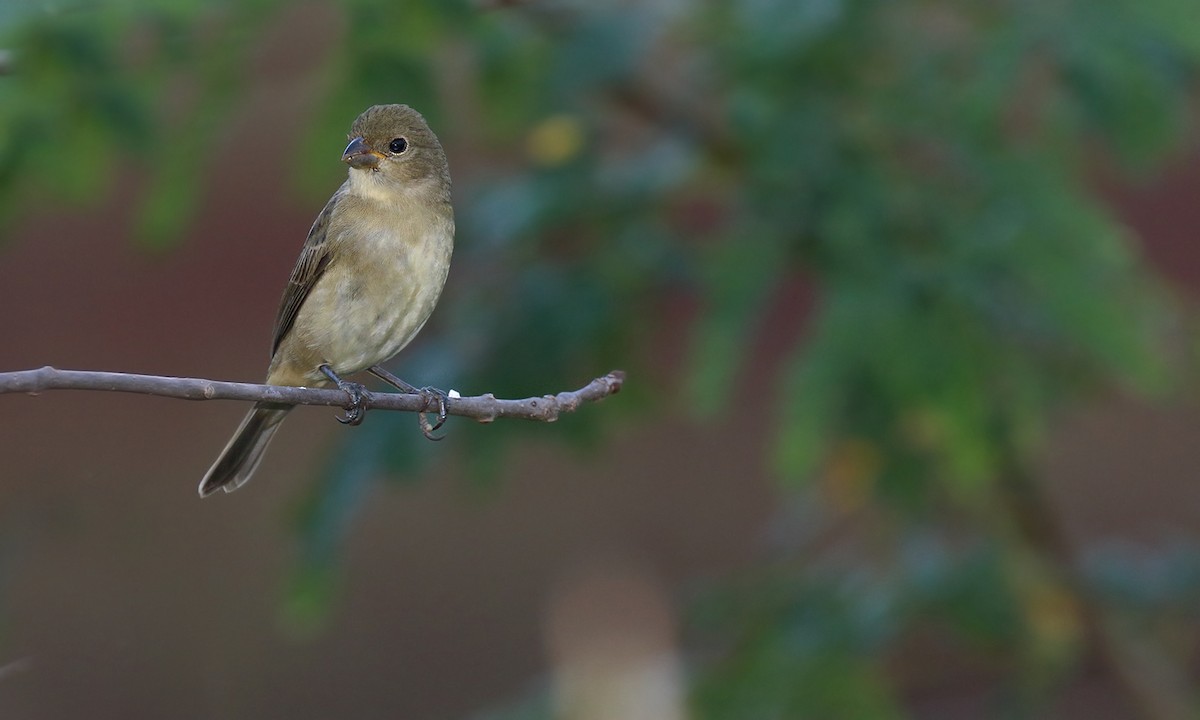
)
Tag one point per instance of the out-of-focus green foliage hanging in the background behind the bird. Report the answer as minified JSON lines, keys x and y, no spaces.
{"x":923,"y":164}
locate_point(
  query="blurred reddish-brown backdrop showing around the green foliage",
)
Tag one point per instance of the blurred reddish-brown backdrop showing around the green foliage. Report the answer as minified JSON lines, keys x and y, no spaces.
{"x":124,"y":596}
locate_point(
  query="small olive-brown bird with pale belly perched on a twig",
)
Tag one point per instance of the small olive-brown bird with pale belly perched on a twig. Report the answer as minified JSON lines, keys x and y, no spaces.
{"x":367,"y":281}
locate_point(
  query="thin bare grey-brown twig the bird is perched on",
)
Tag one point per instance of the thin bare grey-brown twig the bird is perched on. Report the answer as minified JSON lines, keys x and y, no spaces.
{"x":484,"y":409}
